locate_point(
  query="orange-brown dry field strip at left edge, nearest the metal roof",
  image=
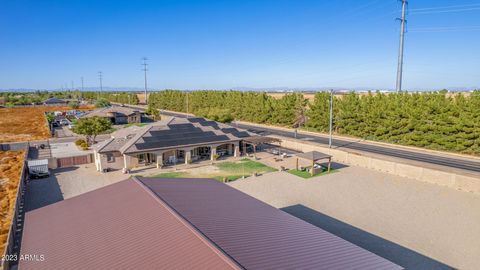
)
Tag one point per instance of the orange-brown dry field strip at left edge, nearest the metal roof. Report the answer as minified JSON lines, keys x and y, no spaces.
{"x":10,"y":171}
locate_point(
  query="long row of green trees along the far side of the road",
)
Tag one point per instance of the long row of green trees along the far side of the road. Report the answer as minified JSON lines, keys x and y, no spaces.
{"x":434,"y":120}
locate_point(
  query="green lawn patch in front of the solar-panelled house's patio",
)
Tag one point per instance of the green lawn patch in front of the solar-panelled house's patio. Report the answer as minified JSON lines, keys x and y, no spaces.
{"x":230,"y":170}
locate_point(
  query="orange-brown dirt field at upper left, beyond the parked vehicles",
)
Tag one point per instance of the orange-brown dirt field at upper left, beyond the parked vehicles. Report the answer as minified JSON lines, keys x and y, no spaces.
{"x":25,"y":124}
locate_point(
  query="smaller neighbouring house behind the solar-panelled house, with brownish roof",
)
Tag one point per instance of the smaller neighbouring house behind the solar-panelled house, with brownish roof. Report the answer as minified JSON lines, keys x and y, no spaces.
{"x":118,"y":115}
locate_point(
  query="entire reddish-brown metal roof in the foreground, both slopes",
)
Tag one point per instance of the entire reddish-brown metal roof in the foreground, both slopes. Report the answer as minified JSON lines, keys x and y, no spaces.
{"x":147,"y":223}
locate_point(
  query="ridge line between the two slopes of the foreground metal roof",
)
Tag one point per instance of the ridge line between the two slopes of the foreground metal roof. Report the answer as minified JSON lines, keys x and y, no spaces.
{"x":214,"y":247}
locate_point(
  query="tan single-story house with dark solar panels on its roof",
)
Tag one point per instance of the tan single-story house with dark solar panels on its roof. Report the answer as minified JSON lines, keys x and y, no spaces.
{"x":178,"y":140}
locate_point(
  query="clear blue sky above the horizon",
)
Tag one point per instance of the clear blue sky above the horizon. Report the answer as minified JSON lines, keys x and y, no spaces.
{"x":246,"y":43}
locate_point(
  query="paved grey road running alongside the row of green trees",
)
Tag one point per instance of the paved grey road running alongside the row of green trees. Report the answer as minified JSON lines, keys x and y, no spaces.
{"x":435,"y":159}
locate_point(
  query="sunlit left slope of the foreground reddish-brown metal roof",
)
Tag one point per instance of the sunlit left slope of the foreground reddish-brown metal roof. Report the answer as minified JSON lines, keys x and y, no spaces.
{"x":121,"y":226}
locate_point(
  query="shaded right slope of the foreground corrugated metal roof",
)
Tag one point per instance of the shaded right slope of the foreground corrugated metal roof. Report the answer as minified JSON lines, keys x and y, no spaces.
{"x":256,"y":235}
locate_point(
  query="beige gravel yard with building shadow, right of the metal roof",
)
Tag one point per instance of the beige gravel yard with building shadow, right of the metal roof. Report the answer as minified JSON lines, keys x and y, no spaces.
{"x":414,"y":224}
